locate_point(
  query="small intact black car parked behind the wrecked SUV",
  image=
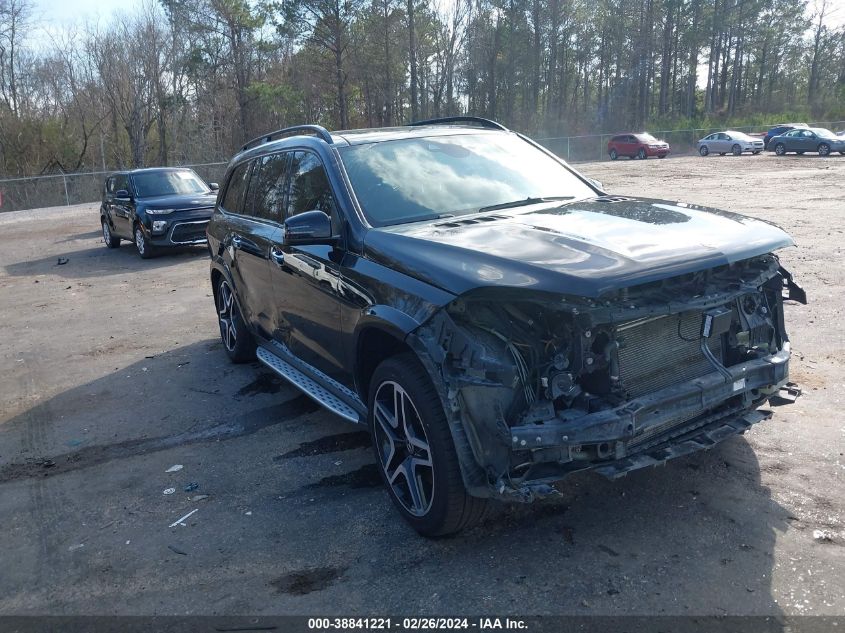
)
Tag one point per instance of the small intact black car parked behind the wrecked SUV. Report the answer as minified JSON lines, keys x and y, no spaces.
{"x":156,"y":208}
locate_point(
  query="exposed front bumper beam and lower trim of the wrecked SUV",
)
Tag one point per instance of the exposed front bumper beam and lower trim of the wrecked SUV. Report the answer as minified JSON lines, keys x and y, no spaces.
{"x":647,"y":431}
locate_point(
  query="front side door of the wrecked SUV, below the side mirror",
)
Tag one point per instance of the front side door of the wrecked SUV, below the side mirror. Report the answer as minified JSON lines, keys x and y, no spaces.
{"x":307,"y":277}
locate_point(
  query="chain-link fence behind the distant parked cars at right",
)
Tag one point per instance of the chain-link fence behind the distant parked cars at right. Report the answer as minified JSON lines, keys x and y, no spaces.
{"x":593,"y":147}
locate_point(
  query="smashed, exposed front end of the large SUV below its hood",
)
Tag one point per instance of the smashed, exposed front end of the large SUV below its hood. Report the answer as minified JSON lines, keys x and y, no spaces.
{"x":543,"y":385}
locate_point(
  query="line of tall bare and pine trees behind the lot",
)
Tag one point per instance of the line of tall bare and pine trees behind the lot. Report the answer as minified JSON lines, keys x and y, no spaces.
{"x":188,"y":81}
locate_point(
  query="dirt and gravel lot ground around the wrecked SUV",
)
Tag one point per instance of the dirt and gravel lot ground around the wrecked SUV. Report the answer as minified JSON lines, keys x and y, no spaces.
{"x":111,"y":372}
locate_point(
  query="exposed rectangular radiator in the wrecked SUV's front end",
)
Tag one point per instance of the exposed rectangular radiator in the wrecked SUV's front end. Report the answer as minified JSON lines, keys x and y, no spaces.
{"x":659,"y":352}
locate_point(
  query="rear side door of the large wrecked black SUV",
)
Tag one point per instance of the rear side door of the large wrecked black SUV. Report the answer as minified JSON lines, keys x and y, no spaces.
{"x":246,"y":245}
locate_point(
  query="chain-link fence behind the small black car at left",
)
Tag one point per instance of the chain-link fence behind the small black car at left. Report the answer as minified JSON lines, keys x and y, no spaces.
{"x":65,"y":189}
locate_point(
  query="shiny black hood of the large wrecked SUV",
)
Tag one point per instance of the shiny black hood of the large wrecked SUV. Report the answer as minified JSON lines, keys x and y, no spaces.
{"x":583,"y":248}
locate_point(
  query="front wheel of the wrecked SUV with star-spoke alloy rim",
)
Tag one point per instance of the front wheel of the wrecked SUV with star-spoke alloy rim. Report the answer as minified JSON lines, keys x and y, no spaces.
{"x":415,"y":452}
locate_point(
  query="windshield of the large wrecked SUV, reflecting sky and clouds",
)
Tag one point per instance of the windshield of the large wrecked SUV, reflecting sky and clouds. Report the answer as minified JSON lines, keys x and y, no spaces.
{"x":416,"y":179}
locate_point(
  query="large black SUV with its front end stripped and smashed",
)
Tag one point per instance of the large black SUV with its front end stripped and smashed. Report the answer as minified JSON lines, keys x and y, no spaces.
{"x":495,"y":318}
